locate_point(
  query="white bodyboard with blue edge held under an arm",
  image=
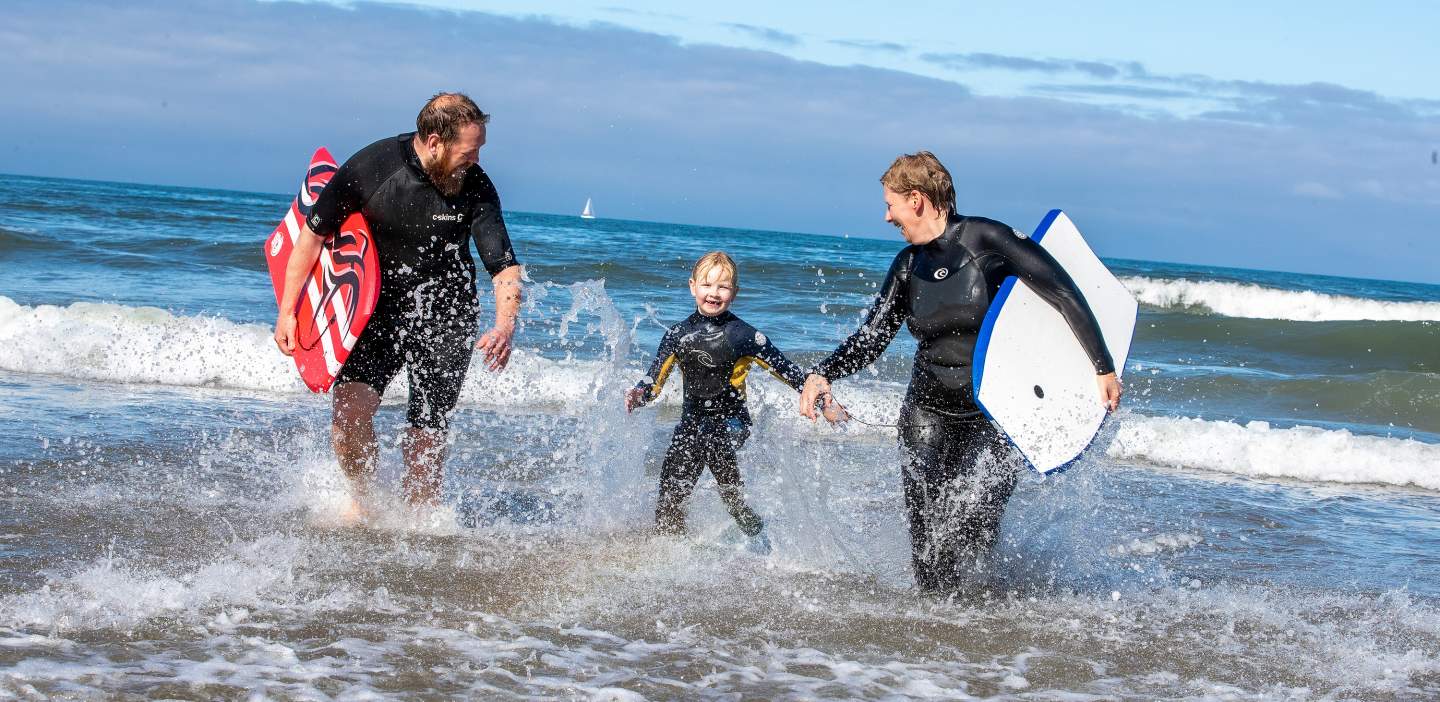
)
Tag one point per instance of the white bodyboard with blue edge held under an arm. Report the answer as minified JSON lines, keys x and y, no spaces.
{"x":1032,"y":376}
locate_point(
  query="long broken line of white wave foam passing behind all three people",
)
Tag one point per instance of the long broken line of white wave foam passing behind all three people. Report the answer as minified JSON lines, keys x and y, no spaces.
{"x":148,"y":346}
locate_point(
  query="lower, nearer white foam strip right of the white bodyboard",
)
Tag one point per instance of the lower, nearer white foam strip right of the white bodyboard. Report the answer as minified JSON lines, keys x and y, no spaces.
{"x":1261,"y":451}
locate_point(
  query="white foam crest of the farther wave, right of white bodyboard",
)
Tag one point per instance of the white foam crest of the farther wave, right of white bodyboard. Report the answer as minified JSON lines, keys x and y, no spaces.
{"x":1255,"y":301}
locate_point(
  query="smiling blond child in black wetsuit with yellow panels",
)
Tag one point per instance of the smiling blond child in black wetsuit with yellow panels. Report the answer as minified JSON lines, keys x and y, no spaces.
{"x":715,"y":352}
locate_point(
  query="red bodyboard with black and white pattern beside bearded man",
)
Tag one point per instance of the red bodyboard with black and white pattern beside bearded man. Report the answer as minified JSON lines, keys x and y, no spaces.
{"x":342,"y":290}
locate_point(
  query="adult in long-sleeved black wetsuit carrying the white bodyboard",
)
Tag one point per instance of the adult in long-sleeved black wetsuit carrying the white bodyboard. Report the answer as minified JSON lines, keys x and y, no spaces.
{"x":958,"y":471}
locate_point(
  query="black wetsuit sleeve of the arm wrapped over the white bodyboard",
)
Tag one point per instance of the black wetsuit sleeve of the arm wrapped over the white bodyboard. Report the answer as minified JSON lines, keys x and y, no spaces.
{"x":1033,"y":264}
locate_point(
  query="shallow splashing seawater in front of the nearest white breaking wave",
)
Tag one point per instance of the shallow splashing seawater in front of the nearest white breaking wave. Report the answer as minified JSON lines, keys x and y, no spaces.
{"x":205,"y":557}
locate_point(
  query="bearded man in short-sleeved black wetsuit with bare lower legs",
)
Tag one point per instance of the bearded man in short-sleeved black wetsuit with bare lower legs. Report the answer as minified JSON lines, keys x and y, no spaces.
{"x":426,"y":199}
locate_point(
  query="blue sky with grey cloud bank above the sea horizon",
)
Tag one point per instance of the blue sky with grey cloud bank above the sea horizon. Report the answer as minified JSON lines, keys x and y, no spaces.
{"x":1290,"y":136}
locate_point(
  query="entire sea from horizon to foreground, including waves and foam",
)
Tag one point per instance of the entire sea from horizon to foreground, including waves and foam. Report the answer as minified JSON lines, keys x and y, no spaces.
{"x":1259,"y":521}
